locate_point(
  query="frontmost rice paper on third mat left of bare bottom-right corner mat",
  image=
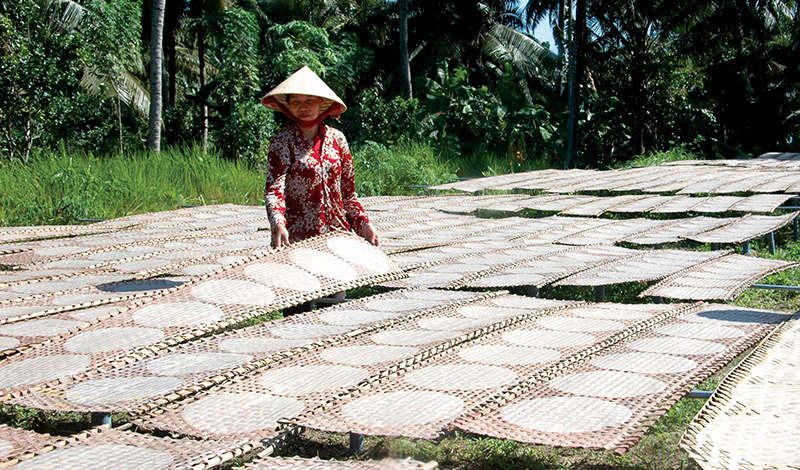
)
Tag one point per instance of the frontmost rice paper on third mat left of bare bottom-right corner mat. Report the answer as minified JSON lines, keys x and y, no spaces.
{"x":233,"y":413}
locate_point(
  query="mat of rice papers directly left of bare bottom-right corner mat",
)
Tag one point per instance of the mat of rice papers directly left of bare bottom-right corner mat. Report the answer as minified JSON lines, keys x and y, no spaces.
{"x":610,"y":397}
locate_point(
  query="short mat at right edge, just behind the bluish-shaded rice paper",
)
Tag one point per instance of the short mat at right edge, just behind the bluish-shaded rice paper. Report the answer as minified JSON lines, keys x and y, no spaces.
{"x":721,"y":278}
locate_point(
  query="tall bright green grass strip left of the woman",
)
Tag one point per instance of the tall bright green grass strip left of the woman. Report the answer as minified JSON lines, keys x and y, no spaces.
{"x":62,"y":187}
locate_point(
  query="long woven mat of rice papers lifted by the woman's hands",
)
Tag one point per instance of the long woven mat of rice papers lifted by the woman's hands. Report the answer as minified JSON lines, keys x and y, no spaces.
{"x":303,"y":271}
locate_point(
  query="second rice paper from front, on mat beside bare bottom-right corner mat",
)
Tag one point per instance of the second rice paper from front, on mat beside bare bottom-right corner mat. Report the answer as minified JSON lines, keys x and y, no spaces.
{"x":607,"y":384}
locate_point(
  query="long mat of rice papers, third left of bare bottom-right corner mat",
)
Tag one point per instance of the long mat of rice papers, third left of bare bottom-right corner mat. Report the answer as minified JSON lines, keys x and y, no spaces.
{"x":252,"y":406}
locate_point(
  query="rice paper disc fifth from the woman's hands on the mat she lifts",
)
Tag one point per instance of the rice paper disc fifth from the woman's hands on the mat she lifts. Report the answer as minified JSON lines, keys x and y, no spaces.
{"x":166,"y":315}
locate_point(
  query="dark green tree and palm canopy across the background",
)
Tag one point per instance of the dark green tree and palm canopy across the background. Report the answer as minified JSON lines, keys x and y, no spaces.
{"x":718,"y":77}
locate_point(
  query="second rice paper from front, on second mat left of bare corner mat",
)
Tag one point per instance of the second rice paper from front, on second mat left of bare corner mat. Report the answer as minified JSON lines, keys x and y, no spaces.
{"x":460,"y":377}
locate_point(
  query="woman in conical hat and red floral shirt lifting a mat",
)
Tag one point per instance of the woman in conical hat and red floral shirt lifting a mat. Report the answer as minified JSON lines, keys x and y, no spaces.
{"x":310,"y":188}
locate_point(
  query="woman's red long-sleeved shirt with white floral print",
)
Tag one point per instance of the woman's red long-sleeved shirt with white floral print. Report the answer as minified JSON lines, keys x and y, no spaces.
{"x":311,"y":186}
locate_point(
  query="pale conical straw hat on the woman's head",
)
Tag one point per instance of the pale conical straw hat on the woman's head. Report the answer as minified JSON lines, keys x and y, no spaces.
{"x":304,"y":82}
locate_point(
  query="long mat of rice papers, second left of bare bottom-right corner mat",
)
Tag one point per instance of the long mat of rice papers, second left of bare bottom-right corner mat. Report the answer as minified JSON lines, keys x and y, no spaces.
{"x":422,"y":399}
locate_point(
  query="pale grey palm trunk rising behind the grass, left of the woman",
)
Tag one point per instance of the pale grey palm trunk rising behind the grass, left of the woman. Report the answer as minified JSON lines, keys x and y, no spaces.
{"x":156,"y":82}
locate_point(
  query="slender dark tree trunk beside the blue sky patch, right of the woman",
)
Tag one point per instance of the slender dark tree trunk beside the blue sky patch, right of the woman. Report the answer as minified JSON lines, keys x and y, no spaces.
{"x":576,"y":49}
